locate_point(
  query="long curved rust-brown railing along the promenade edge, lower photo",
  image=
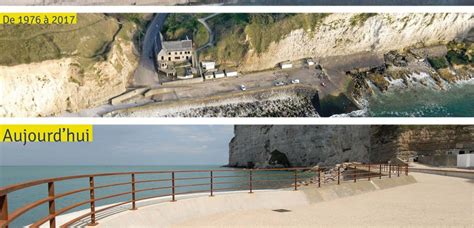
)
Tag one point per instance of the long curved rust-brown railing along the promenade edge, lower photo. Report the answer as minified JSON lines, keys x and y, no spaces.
{"x":241,"y":179}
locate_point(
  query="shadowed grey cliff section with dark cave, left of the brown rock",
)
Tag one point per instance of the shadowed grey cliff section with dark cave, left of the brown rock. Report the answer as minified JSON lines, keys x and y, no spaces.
{"x":276,"y":146}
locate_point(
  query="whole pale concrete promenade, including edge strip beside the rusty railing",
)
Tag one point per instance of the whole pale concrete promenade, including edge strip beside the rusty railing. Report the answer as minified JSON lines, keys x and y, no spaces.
{"x":418,"y":200}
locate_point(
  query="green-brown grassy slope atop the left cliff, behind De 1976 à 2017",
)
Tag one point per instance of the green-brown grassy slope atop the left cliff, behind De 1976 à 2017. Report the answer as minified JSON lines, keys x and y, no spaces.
{"x":88,"y":39}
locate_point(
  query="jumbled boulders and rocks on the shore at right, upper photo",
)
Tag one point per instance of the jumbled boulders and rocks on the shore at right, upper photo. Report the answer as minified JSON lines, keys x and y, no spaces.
{"x":436,"y":67}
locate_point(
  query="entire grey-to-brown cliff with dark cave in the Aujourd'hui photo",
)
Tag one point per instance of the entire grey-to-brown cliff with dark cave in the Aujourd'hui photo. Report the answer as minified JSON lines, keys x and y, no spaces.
{"x":276,"y":146}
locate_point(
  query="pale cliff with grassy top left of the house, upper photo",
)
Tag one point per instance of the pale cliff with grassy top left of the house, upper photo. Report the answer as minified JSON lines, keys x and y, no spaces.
{"x":86,"y":74}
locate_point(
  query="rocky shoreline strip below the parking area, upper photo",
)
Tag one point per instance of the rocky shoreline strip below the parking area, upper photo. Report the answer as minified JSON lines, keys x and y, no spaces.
{"x":293,"y":101}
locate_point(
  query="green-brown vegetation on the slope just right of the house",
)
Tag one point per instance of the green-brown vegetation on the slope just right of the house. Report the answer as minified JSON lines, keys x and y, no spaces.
{"x":237,"y":33}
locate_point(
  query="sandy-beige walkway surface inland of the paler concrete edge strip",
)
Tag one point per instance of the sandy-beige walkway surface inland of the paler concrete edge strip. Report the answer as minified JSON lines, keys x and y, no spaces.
{"x":432,"y":202}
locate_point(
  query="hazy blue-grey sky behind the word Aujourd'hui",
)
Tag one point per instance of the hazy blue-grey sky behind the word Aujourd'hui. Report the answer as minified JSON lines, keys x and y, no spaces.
{"x":130,"y":145}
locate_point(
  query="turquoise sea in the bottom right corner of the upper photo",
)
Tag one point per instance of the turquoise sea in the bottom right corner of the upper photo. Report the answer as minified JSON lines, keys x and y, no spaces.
{"x":457,"y":101}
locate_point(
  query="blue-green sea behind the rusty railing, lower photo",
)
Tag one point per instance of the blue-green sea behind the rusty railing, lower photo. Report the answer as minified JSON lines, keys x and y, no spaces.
{"x":17,"y":174}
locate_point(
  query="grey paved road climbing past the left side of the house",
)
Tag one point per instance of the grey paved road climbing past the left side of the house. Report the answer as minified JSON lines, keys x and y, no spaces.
{"x":145,"y":74}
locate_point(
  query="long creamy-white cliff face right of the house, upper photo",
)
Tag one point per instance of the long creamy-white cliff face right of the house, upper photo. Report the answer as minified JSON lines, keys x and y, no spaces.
{"x":341,"y":34}
